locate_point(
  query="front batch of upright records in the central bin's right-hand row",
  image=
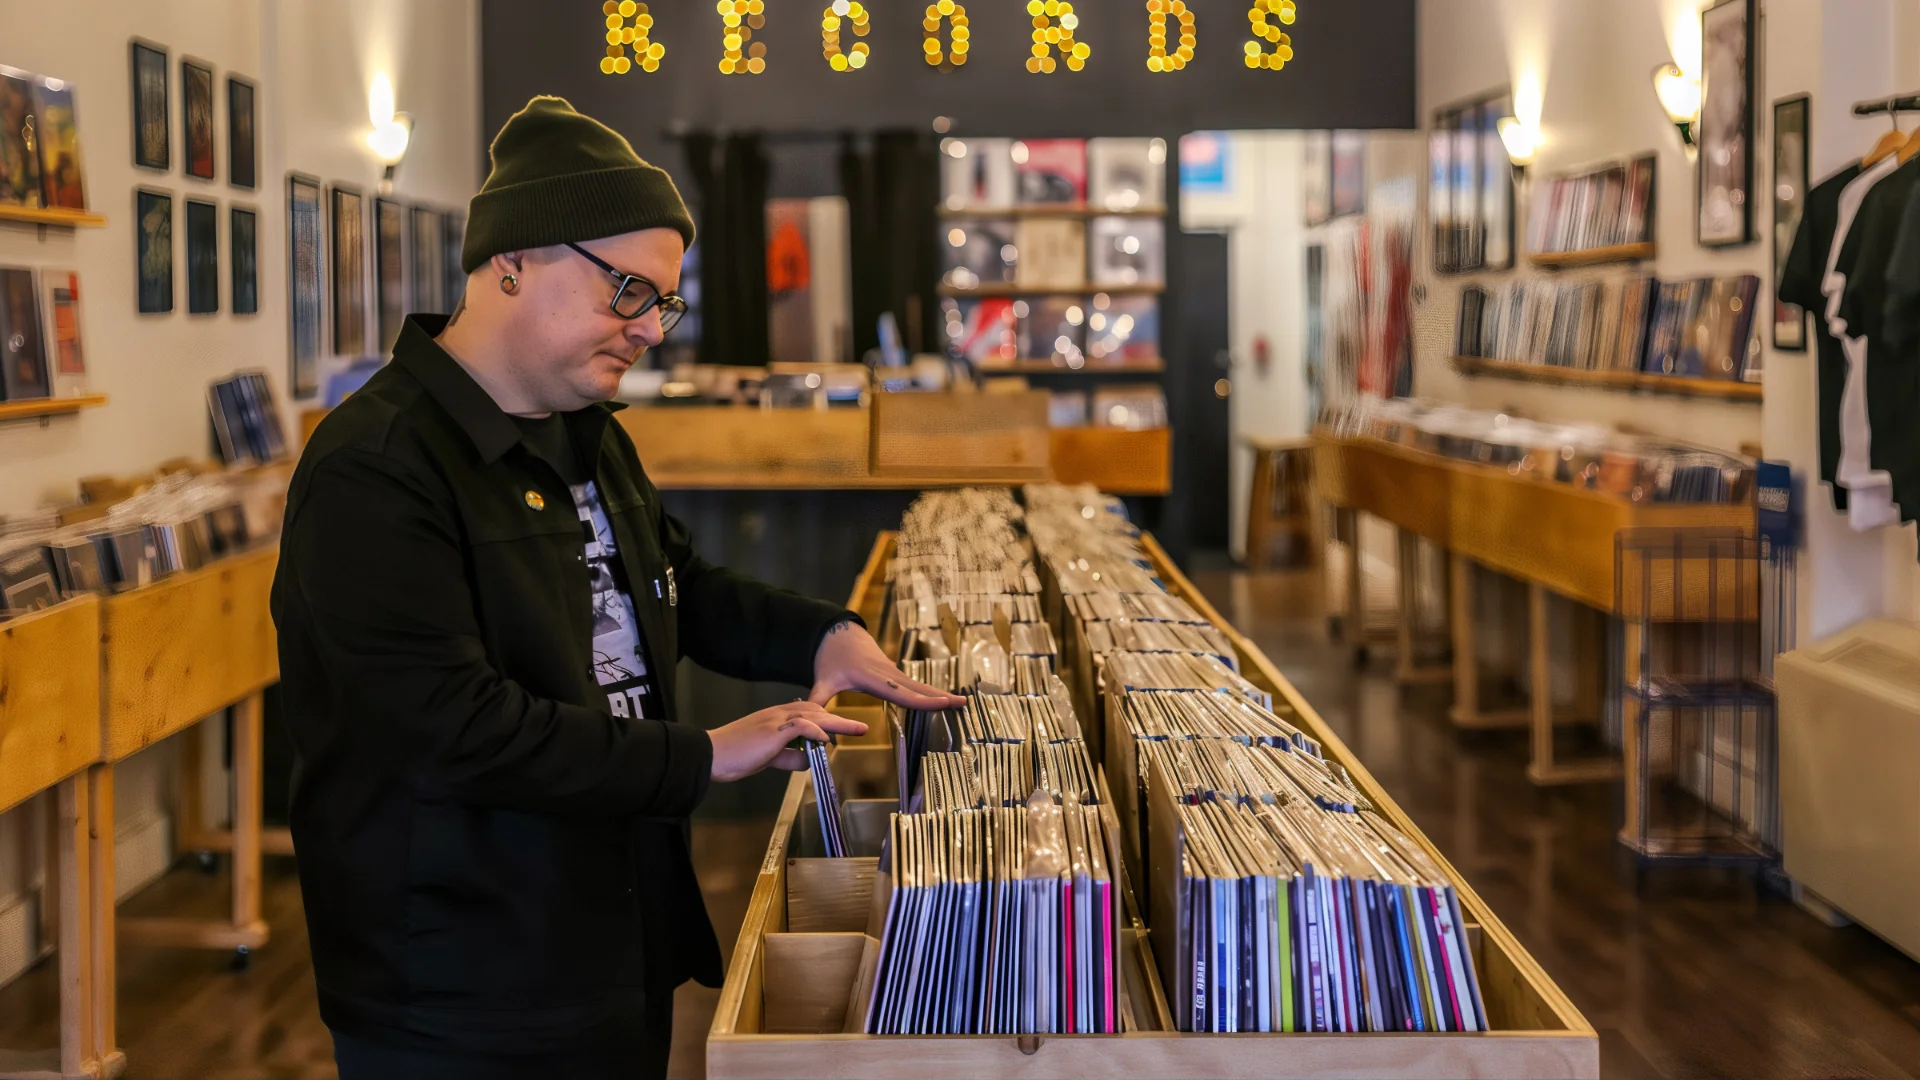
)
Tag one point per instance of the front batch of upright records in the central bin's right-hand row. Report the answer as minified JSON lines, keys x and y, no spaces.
{"x":1295,"y":906}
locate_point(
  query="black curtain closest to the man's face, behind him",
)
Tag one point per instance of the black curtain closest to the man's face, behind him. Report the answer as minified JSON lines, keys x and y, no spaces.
{"x":731,"y":182}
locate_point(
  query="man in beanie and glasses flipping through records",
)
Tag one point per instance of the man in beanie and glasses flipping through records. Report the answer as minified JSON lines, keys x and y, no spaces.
{"x":481,"y":608}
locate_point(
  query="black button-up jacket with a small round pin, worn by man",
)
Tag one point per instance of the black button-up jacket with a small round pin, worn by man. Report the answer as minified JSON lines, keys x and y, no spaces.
{"x":491,"y":858}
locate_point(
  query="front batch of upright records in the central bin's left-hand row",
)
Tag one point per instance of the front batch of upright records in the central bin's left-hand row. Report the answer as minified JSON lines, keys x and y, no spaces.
{"x":999,"y":921}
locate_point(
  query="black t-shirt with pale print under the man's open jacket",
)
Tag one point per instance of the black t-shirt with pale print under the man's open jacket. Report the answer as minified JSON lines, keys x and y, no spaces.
{"x":619,"y":649}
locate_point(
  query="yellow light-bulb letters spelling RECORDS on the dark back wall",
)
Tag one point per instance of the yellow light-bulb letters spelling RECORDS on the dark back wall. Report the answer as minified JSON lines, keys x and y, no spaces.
{"x":948,"y":32}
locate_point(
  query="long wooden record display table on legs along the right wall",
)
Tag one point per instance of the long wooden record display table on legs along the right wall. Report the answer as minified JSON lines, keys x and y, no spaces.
{"x":1554,"y":537}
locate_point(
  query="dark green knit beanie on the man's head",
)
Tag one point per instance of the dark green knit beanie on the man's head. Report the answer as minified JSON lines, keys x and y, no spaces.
{"x":562,"y":178}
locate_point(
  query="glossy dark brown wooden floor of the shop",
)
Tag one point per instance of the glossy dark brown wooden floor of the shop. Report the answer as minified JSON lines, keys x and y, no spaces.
{"x":1685,"y":973}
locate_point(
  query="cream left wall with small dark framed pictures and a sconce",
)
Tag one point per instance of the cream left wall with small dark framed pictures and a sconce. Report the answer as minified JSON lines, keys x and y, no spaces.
{"x":312,"y":62}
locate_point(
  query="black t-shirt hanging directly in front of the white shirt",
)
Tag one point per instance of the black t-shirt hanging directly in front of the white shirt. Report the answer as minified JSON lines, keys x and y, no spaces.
{"x":1892,"y":380}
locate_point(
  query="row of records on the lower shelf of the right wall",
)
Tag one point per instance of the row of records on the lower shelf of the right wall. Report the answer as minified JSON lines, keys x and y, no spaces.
{"x":1698,"y":330}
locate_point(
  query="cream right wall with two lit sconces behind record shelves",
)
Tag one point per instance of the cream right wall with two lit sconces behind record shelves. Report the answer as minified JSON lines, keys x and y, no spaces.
{"x":1591,"y":66}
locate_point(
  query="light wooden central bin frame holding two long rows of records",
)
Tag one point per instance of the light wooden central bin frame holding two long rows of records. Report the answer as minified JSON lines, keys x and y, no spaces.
{"x":790,"y":987}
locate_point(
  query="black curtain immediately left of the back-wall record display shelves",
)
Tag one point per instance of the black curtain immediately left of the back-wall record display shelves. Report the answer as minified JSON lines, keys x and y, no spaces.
{"x":894,"y":191}
